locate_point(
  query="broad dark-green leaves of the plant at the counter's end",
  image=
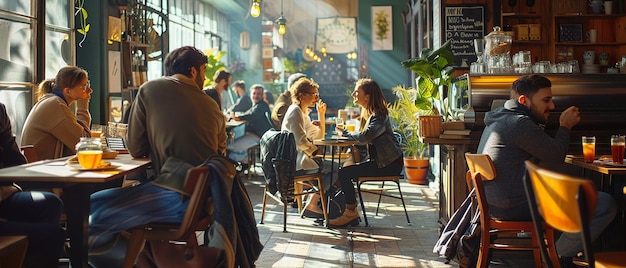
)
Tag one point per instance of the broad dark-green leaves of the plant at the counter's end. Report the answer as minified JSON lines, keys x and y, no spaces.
{"x":434,"y":74}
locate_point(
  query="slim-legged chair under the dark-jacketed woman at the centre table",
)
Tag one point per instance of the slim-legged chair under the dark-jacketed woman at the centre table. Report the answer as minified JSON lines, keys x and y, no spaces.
{"x":380,"y":192}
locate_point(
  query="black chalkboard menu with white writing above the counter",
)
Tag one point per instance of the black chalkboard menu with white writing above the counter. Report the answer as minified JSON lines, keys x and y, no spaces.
{"x":463,"y":24}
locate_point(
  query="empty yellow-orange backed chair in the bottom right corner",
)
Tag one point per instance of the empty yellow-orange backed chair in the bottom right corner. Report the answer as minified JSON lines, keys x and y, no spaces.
{"x":566,"y":203}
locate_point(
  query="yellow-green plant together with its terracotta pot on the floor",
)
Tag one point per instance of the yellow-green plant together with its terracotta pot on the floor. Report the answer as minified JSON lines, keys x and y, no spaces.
{"x":405,"y":113}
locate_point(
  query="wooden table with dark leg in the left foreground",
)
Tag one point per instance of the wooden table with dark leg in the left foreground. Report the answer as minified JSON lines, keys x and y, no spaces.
{"x":77,"y":188}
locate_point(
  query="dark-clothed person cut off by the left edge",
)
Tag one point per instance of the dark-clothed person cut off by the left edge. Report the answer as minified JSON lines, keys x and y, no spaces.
{"x":33,"y":214}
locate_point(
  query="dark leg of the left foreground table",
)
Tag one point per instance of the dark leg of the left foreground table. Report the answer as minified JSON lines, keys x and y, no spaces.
{"x":77,"y":201}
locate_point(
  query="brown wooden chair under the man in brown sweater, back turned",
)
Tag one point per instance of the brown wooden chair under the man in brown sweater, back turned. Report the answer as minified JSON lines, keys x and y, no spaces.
{"x":178,"y":232}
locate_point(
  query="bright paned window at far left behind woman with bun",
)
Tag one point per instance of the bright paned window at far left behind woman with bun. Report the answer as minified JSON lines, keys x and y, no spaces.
{"x":19,"y":51}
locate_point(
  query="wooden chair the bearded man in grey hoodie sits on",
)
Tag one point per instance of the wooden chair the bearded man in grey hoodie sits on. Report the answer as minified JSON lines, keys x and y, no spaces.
{"x":481,"y":168}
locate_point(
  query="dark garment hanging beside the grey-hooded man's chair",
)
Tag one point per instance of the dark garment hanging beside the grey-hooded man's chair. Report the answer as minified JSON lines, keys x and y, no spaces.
{"x":460,"y":239}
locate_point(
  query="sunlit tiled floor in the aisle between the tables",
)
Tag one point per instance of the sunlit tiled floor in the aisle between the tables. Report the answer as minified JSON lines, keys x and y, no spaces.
{"x":389,"y":242}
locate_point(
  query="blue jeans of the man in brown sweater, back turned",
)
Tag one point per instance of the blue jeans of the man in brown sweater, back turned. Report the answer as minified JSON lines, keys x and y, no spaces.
{"x":118,"y":209}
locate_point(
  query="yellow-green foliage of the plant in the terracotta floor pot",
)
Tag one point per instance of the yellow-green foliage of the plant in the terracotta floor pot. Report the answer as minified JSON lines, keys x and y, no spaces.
{"x":404,"y":113}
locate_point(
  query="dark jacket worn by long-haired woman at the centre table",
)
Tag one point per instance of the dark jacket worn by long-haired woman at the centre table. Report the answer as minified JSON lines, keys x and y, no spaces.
{"x":381,"y":143}
